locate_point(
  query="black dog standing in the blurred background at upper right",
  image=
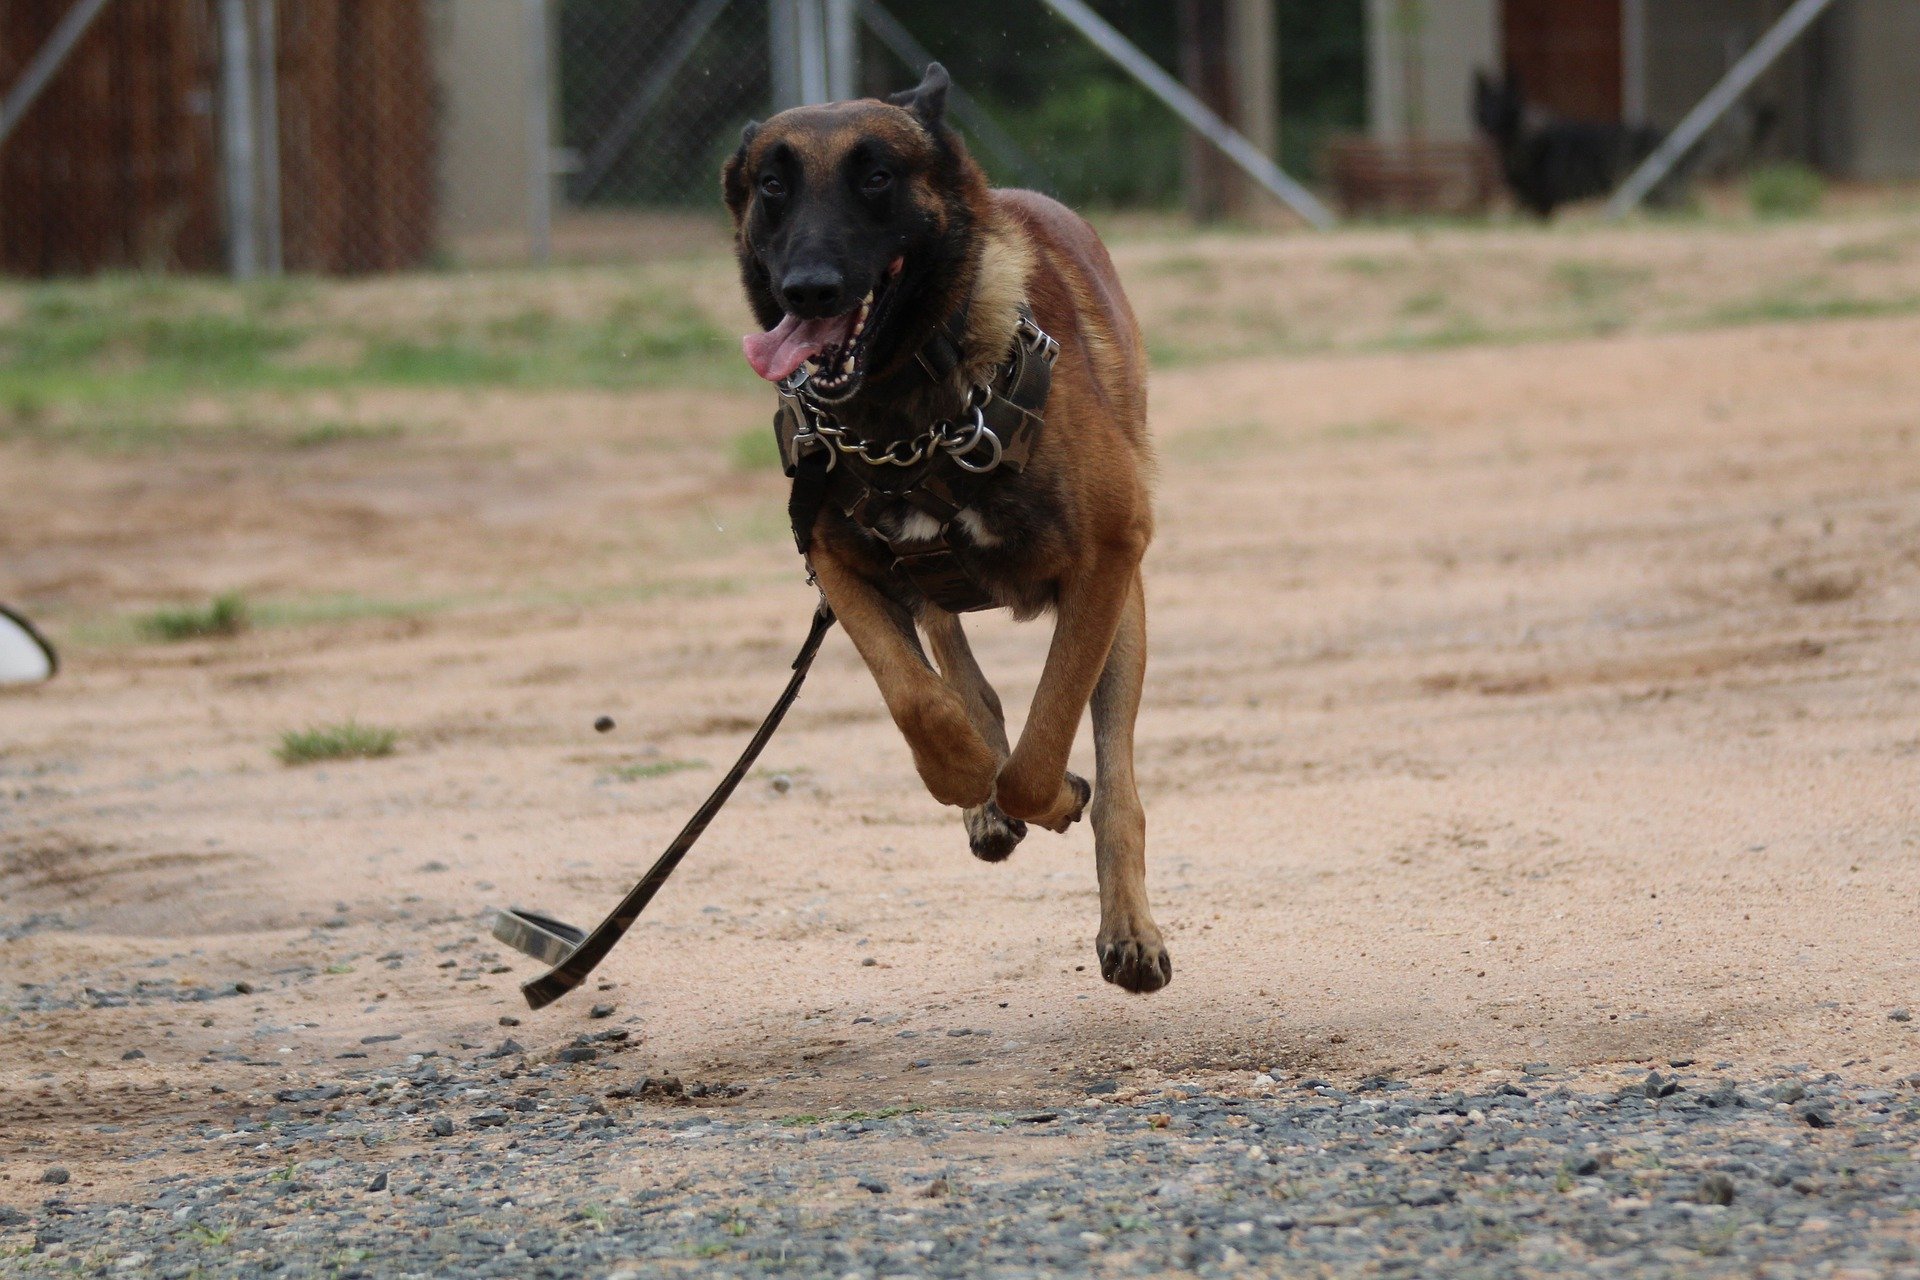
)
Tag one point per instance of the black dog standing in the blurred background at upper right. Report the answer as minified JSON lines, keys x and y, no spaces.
{"x":1552,"y":162}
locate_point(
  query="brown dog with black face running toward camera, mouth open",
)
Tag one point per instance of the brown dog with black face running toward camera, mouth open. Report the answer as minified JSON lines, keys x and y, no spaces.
{"x":867,"y":237}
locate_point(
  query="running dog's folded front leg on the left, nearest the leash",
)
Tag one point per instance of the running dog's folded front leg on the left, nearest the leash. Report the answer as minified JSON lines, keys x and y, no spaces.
{"x":953,"y":761}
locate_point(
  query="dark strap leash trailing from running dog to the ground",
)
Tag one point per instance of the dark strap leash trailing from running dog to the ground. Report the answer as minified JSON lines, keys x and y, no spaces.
{"x":573,"y":953}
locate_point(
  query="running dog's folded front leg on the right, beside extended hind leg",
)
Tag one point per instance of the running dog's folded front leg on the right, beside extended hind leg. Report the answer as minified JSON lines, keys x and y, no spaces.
{"x":1034,"y":782}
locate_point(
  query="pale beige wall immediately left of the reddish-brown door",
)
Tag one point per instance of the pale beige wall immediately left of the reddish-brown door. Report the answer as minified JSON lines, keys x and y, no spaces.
{"x":1454,"y":39}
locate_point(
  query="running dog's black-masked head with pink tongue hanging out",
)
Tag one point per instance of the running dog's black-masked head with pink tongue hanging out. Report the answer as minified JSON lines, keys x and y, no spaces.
{"x":853,"y":227}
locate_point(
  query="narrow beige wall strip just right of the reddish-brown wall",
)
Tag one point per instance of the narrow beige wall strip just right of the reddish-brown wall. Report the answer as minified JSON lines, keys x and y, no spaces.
{"x":483,"y":72}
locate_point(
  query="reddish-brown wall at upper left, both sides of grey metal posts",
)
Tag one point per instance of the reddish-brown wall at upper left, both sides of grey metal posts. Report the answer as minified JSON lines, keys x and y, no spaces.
{"x":118,"y":164}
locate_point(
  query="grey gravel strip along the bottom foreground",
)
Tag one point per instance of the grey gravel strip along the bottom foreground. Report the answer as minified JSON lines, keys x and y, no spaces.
{"x":552,"y":1173}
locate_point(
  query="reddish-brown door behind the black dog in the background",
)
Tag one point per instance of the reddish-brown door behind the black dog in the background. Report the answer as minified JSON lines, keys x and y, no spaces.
{"x":1568,"y":55}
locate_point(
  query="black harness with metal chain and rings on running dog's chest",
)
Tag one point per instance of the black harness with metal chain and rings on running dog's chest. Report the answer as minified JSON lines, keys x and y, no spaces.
{"x":938,"y":473}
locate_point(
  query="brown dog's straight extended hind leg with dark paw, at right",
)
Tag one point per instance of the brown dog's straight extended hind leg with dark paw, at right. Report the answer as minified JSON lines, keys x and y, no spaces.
{"x":1130,"y":947}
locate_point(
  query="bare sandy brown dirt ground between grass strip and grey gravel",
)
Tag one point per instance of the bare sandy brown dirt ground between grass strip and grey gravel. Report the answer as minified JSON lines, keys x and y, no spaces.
{"x":1510,"y":703}
